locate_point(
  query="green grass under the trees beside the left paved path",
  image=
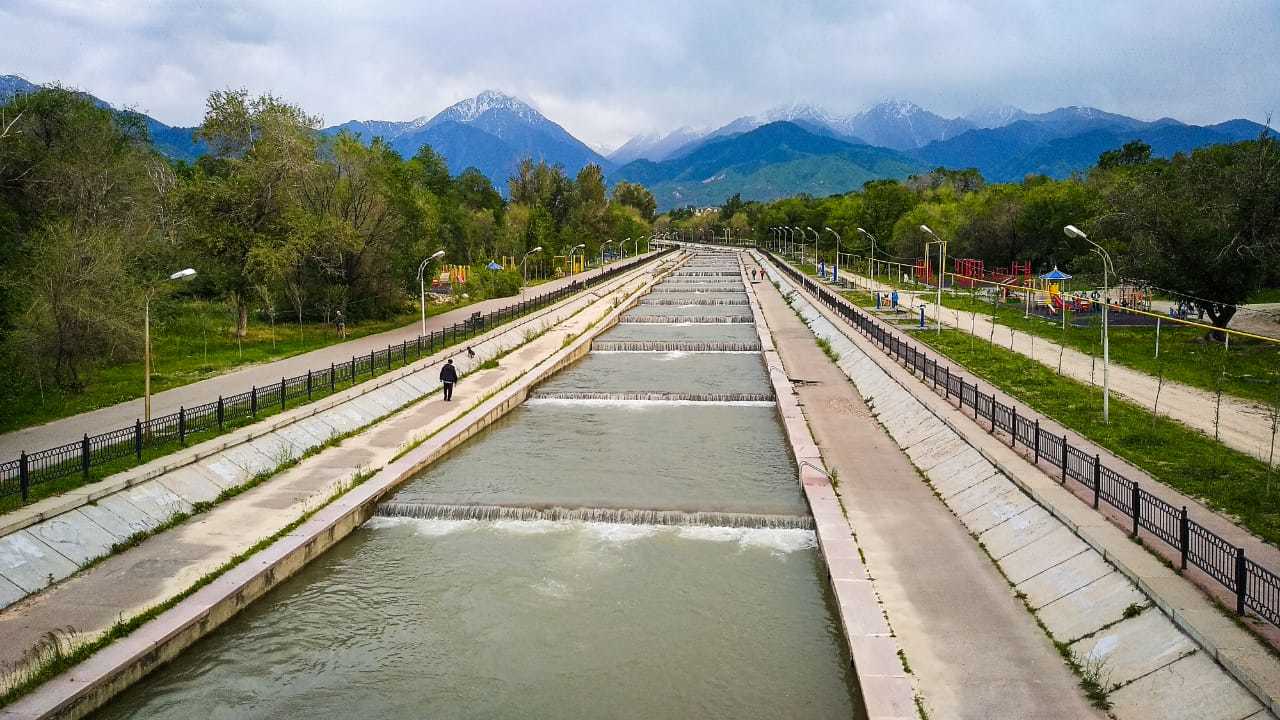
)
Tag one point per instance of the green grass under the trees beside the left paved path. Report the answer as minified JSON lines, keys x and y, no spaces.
{"x":191,"y":341}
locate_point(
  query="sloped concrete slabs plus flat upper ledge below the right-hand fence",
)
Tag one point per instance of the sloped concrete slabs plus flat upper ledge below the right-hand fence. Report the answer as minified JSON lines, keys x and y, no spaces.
{"x":1080,"y":575}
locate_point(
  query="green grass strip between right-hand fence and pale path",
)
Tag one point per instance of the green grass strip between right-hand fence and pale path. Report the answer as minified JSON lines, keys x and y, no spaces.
{"x":1172,"y":453}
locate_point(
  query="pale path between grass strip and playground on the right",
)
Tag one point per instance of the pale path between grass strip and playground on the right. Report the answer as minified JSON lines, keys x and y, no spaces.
{"x":1245,"y":426}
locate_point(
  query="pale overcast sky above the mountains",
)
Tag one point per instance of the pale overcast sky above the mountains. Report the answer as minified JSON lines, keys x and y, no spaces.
{"x":611,"y":70}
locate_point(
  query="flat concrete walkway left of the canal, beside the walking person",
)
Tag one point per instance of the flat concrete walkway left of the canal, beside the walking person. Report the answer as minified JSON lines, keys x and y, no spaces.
{"x":163,"y":566}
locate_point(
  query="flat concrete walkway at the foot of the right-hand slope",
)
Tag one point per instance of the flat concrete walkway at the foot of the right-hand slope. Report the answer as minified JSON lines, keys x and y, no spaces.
{"x":976,"y":650}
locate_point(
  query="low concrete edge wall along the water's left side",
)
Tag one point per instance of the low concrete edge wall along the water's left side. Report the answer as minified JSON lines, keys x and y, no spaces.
{"x":95,"y":681}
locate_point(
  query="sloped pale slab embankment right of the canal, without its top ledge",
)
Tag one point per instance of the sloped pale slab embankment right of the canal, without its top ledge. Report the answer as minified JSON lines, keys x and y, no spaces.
{"x":1149,"y":667}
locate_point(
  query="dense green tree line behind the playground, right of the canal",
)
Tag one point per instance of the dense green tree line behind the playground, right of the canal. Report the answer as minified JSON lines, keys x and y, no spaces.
{"x":1205,"y":224}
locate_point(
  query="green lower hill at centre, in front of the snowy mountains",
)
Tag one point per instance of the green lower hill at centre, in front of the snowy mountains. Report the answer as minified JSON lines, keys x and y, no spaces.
{"x":774,"y":161}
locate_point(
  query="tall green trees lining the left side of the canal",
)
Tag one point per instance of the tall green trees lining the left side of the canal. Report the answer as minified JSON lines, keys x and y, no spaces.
{"x":277,"y":217}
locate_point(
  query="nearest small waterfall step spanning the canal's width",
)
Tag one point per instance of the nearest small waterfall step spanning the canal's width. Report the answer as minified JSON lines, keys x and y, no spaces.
{"x":621,"y":516}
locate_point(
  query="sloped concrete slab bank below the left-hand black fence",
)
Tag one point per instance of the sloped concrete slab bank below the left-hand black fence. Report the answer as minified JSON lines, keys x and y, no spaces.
{"x":52,"y":540}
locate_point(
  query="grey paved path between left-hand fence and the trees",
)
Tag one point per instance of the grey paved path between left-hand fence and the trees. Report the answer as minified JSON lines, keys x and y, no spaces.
{"x":240,"y":380}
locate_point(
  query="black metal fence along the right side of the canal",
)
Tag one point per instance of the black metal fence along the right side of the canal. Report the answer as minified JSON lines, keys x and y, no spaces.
{"x":1255,"y":587}
